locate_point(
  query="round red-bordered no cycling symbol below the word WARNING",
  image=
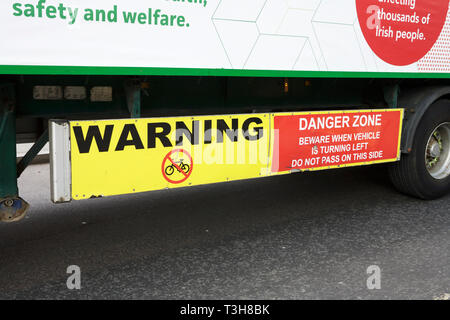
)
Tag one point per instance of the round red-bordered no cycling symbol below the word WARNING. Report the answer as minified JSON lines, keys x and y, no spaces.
{"x":177,"y":166}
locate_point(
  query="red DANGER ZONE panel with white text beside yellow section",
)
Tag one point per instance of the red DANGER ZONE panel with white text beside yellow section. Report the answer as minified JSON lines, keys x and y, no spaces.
{"x":312,"y":141}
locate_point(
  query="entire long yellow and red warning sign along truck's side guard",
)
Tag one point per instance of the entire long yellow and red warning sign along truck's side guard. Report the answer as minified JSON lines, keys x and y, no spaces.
{"x":113,"y":157}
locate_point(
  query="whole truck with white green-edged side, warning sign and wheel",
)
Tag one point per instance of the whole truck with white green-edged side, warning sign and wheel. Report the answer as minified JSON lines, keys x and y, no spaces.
{"x":137,"y":96}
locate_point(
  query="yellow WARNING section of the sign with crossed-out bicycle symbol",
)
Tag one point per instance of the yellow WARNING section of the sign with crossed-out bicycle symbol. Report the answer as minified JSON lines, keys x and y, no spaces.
{"x":113,"y":157}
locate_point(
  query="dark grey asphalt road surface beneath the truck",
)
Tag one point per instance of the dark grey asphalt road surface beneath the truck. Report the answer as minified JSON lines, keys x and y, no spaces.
{"x":303,"y":236}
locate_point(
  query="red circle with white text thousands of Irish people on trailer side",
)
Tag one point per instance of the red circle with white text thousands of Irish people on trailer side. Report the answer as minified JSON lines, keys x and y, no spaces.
{"x":401,"y":32}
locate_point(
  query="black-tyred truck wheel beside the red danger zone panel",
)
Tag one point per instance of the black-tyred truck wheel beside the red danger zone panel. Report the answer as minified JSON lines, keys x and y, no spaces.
{"x":425,"y":172}
